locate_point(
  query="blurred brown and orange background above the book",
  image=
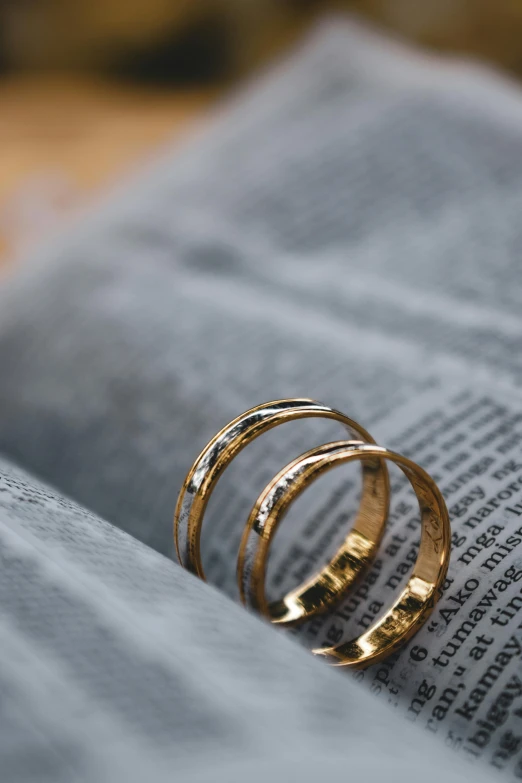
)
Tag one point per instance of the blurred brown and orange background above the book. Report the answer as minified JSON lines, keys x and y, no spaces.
{"x":90,"y":88}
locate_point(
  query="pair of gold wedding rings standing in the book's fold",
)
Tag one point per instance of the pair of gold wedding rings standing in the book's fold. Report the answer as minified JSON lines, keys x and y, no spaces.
{"x":358,"y":549}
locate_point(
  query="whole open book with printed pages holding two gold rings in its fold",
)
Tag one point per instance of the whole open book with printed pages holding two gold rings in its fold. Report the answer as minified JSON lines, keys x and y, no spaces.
{"x":348,"y":229}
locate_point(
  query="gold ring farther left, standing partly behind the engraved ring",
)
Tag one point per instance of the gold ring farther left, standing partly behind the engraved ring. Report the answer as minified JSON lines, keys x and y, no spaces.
{"x":221,"y":450}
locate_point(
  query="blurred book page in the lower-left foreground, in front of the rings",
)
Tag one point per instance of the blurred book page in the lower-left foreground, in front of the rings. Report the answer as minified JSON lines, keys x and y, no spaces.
{"x":118,"y":665}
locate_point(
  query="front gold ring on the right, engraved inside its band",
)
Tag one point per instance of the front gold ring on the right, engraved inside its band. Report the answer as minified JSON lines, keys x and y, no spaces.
{"x":419,"y":596}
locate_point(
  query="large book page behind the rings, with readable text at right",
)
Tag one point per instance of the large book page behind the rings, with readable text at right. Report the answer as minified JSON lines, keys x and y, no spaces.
{"x":347,"y":230}
